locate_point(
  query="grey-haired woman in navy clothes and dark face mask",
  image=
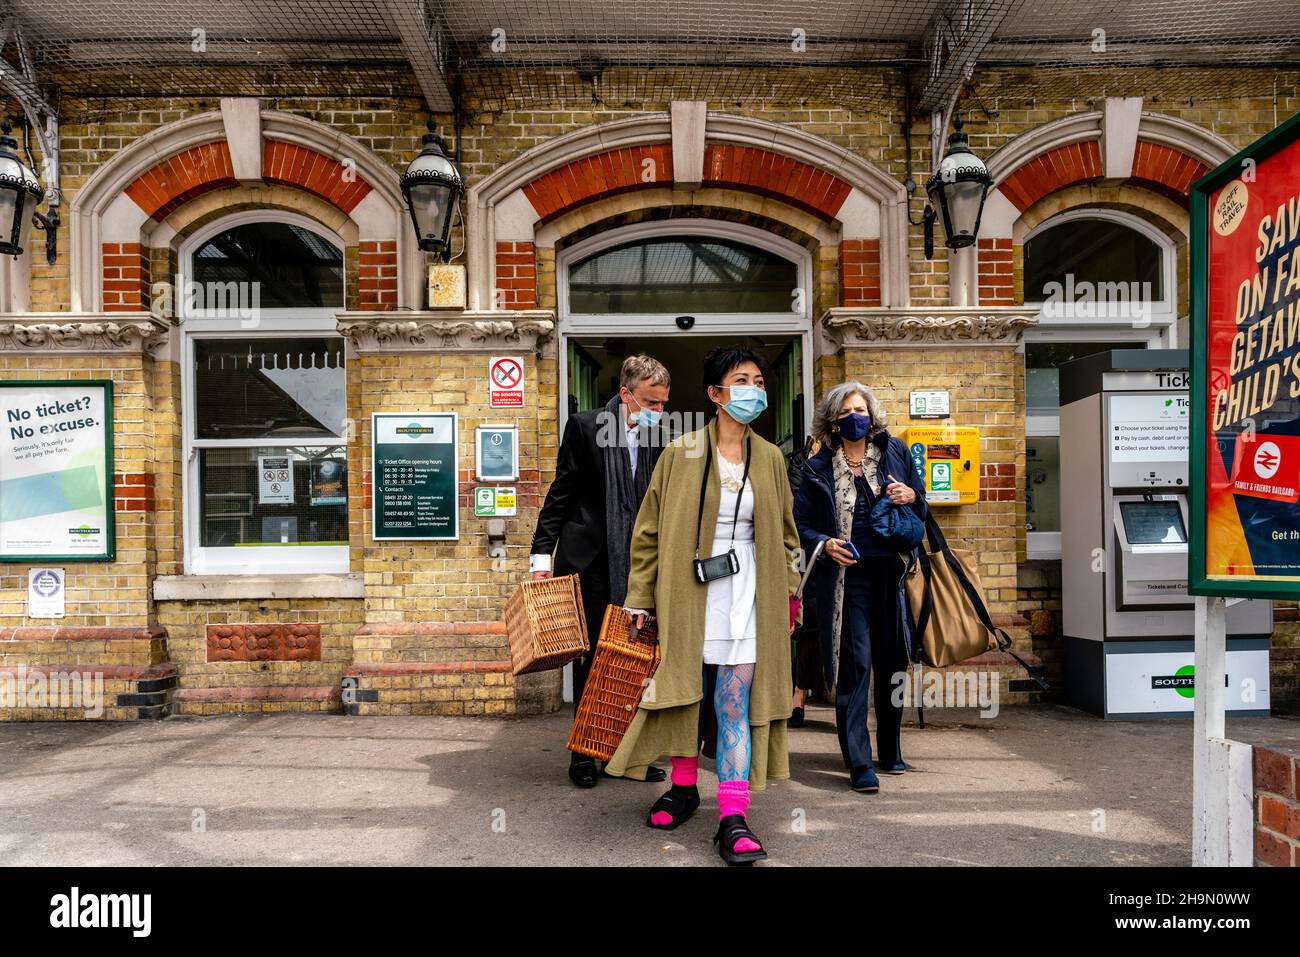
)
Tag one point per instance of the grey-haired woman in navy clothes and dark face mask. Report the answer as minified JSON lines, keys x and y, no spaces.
{"x":859,"y":577}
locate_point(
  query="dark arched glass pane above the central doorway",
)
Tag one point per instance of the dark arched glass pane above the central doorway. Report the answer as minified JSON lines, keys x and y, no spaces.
{"x":696,"y":275}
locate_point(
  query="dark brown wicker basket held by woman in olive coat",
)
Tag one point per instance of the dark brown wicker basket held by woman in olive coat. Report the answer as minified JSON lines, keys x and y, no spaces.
{"x":623,"y":665}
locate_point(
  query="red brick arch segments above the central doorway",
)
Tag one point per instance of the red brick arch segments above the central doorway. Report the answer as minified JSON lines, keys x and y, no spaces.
{"x":726,"y":164}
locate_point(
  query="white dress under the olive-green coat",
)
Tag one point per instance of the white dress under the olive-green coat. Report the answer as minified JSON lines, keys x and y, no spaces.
{"x":731,"y":616}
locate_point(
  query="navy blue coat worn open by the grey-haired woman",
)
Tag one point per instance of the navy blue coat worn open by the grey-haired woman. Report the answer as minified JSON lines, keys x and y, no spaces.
{"x":816,"y":518}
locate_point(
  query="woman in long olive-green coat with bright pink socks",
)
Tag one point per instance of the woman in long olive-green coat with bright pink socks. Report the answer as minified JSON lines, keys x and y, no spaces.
{"x":717,"y":492}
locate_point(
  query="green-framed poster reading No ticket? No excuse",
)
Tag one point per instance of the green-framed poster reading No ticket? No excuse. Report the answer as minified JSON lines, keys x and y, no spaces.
{"x":57,"y":471}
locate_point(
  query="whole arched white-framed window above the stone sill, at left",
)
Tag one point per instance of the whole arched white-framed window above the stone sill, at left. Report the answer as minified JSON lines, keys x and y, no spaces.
{"x":266,"y":479}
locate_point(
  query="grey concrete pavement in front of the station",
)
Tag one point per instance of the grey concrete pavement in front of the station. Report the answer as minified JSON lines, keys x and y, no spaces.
{"x":1035,"y":786}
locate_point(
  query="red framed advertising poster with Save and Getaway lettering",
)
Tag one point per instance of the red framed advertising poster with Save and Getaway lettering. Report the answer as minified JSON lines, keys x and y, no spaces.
{"x":1246,"y":373}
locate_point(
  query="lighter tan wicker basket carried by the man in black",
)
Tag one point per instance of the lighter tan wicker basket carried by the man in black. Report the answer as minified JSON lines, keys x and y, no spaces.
{"x":545,"y":623}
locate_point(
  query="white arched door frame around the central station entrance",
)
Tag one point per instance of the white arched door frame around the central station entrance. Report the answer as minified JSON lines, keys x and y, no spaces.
{"x":792,"y":323}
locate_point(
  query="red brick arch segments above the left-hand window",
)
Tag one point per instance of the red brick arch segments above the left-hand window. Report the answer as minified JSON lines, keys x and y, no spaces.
{"x":174,"y":183}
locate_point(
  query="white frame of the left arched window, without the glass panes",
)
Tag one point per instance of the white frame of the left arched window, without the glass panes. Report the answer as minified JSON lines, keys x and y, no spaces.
{"x":207,"y":324}
